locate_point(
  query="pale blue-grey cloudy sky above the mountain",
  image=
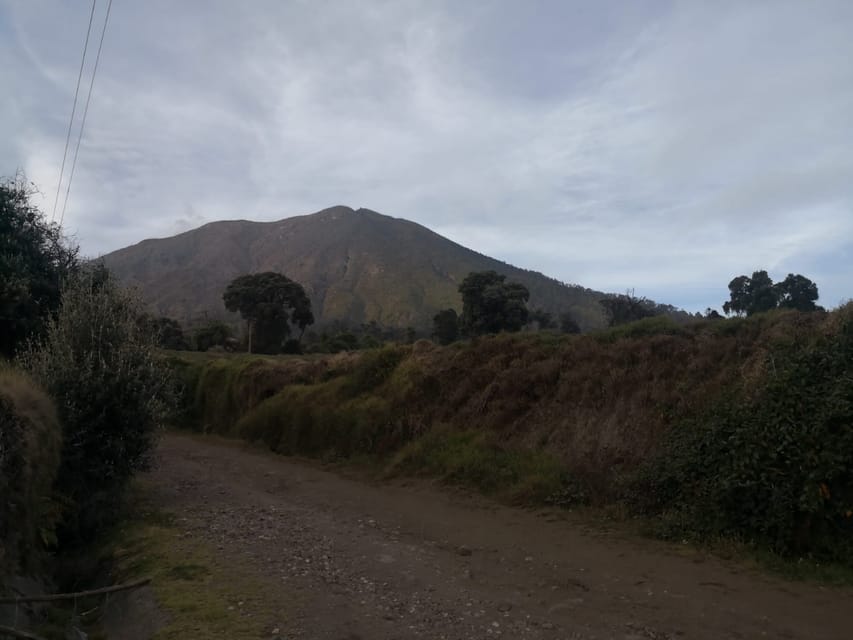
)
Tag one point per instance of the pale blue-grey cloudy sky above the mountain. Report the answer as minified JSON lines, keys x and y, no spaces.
{"x":657,"y":146}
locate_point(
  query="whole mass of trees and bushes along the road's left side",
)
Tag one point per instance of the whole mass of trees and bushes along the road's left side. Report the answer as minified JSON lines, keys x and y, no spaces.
{"x":83,"y":396}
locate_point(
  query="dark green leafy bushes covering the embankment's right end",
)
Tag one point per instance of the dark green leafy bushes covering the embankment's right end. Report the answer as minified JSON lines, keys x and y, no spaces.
{"x":771,"y":464}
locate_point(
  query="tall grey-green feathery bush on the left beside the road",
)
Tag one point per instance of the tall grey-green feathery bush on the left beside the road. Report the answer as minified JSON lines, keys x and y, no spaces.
{"x":98,"y":362}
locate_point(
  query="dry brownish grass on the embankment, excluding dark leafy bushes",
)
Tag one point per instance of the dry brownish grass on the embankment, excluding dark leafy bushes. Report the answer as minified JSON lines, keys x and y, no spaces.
{"x":598,"y":404}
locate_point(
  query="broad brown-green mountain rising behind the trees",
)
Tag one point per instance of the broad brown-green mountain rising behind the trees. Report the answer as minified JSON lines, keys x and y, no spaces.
{"x":356,"y":266}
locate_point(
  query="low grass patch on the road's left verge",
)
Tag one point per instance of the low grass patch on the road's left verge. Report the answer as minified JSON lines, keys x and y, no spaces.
{"x":201,"y":594}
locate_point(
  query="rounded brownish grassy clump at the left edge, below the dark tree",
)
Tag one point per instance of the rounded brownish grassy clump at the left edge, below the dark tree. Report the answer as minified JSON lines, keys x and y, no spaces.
{"x":30,"y":438}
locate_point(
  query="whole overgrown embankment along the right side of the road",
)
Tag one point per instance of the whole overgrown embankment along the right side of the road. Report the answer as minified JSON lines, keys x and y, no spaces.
{"x":733,"y":429}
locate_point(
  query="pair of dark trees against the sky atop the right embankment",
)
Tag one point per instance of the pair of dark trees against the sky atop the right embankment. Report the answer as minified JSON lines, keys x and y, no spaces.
{"x":758,"y":293}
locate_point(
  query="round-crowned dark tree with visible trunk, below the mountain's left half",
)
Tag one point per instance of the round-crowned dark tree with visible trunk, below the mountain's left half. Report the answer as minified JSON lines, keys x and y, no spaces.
{"x":269,"y":303}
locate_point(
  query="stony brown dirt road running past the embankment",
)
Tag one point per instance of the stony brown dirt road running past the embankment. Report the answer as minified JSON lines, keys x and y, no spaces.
{"x":359,"y":561}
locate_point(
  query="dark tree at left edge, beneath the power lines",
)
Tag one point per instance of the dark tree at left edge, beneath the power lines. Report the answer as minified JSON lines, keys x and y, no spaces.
{"x":34,"y":262}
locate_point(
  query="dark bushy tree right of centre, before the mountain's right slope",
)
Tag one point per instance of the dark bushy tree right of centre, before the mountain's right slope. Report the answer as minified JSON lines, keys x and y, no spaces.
{"x":491,"y":305}
